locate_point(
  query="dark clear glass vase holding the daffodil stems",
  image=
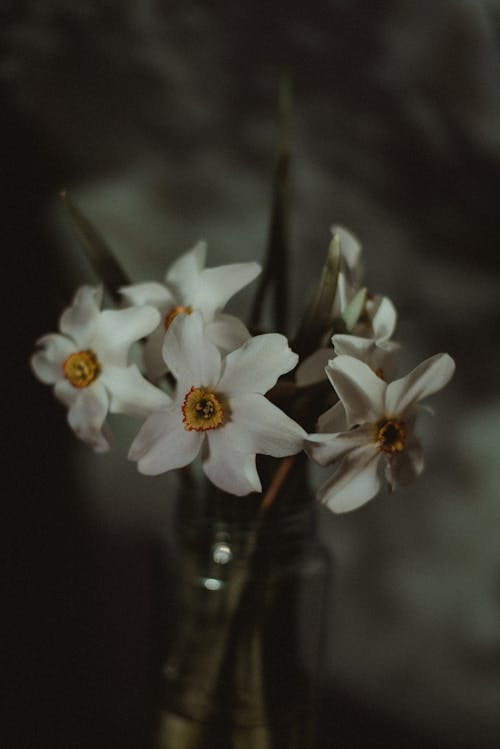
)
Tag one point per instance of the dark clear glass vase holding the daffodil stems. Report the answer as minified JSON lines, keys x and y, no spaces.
{"x":243,"y":670}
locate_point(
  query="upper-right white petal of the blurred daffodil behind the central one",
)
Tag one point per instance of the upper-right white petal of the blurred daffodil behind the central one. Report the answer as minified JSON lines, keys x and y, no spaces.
{"x":218,"y":285}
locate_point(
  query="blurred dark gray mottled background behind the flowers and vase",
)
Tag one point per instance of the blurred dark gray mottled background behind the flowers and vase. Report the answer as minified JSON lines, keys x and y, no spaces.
{"x":160,"y":119}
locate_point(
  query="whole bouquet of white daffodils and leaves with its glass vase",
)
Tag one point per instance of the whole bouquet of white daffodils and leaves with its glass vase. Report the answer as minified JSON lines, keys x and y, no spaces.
{"x":217,"y":392}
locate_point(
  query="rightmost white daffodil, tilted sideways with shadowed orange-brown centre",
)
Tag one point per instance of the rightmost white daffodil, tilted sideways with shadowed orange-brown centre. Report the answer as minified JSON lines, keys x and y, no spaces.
{"x":373,"y":421}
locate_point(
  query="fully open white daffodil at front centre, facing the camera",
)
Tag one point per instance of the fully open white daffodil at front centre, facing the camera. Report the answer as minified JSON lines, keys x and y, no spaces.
{"x":219,"y":406}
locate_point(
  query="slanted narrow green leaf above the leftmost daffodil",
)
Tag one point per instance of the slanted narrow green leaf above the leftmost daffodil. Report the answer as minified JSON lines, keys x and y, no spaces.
{"x":104,"y":263}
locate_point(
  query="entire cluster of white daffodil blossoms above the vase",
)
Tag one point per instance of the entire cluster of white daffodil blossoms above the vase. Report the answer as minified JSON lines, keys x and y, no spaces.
{"x":217,"y":407}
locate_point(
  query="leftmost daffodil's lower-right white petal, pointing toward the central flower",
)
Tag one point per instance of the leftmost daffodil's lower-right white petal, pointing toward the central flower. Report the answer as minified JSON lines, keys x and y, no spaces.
{"x":131,"y":393}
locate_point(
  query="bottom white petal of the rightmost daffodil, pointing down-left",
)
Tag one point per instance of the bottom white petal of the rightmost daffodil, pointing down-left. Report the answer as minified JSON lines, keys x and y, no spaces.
{"x":355,"y":482}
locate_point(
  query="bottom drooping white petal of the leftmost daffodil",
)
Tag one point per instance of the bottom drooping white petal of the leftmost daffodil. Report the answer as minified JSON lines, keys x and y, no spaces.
{"x":86,"y":416}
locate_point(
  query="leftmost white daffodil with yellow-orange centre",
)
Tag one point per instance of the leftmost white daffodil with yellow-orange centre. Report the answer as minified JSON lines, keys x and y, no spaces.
{"x":87,"y":365}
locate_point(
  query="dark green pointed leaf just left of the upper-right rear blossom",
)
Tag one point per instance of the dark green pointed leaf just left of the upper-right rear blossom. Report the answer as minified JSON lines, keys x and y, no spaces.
{"x":318,"y":318}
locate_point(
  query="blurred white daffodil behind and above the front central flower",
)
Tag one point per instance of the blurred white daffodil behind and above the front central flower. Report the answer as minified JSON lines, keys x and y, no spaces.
{"x":190,"y":286}
